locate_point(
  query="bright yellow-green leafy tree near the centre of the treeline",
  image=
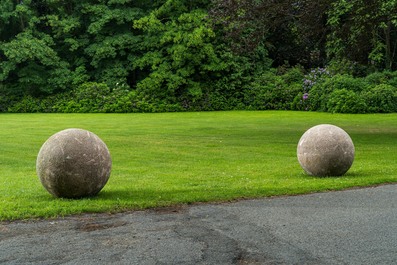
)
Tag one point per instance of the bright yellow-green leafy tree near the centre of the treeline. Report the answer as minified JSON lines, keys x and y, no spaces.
{"x":178,"y":53}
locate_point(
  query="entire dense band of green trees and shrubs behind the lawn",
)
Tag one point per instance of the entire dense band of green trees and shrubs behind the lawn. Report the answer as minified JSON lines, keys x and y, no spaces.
{"x":197,"y":55}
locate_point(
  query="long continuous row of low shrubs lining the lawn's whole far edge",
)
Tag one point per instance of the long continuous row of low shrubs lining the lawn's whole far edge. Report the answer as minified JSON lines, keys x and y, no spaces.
{"x":271,"y":90}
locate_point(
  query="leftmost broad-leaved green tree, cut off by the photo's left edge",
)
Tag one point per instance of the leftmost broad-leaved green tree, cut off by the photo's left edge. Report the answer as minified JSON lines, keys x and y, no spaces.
{"x":29,"y":61}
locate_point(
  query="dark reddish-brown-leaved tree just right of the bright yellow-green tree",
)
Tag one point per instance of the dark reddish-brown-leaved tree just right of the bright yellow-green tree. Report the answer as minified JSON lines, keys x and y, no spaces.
{"x":292,"y":31}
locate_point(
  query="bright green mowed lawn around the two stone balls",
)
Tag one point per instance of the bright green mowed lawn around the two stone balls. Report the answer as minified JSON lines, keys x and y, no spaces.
{"x":181,"y":158}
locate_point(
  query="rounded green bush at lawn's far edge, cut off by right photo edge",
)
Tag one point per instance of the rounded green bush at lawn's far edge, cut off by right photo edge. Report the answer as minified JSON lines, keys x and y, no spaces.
{"x":381,"y":99}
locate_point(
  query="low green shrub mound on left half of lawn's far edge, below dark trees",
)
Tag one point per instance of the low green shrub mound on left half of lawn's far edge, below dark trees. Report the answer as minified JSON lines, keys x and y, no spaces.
{"x":89,"y":98}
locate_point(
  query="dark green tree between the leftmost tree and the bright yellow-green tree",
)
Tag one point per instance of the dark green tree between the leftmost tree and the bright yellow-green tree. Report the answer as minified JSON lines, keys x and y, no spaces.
{"x":110,"y":44}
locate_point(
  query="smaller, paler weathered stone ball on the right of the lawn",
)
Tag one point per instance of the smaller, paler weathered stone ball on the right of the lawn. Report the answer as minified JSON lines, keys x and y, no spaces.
{"x":325,"y":150}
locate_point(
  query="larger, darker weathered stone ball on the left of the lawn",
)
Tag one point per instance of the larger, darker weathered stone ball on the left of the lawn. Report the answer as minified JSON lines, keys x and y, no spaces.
{"x":74,"y":163}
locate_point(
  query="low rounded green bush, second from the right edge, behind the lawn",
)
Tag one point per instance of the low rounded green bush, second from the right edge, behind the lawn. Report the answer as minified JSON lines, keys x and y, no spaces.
{"x":345,"y":101}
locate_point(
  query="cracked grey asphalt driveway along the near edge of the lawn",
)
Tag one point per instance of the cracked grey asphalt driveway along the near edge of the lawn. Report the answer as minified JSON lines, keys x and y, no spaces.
{"x":348,"y":227}
